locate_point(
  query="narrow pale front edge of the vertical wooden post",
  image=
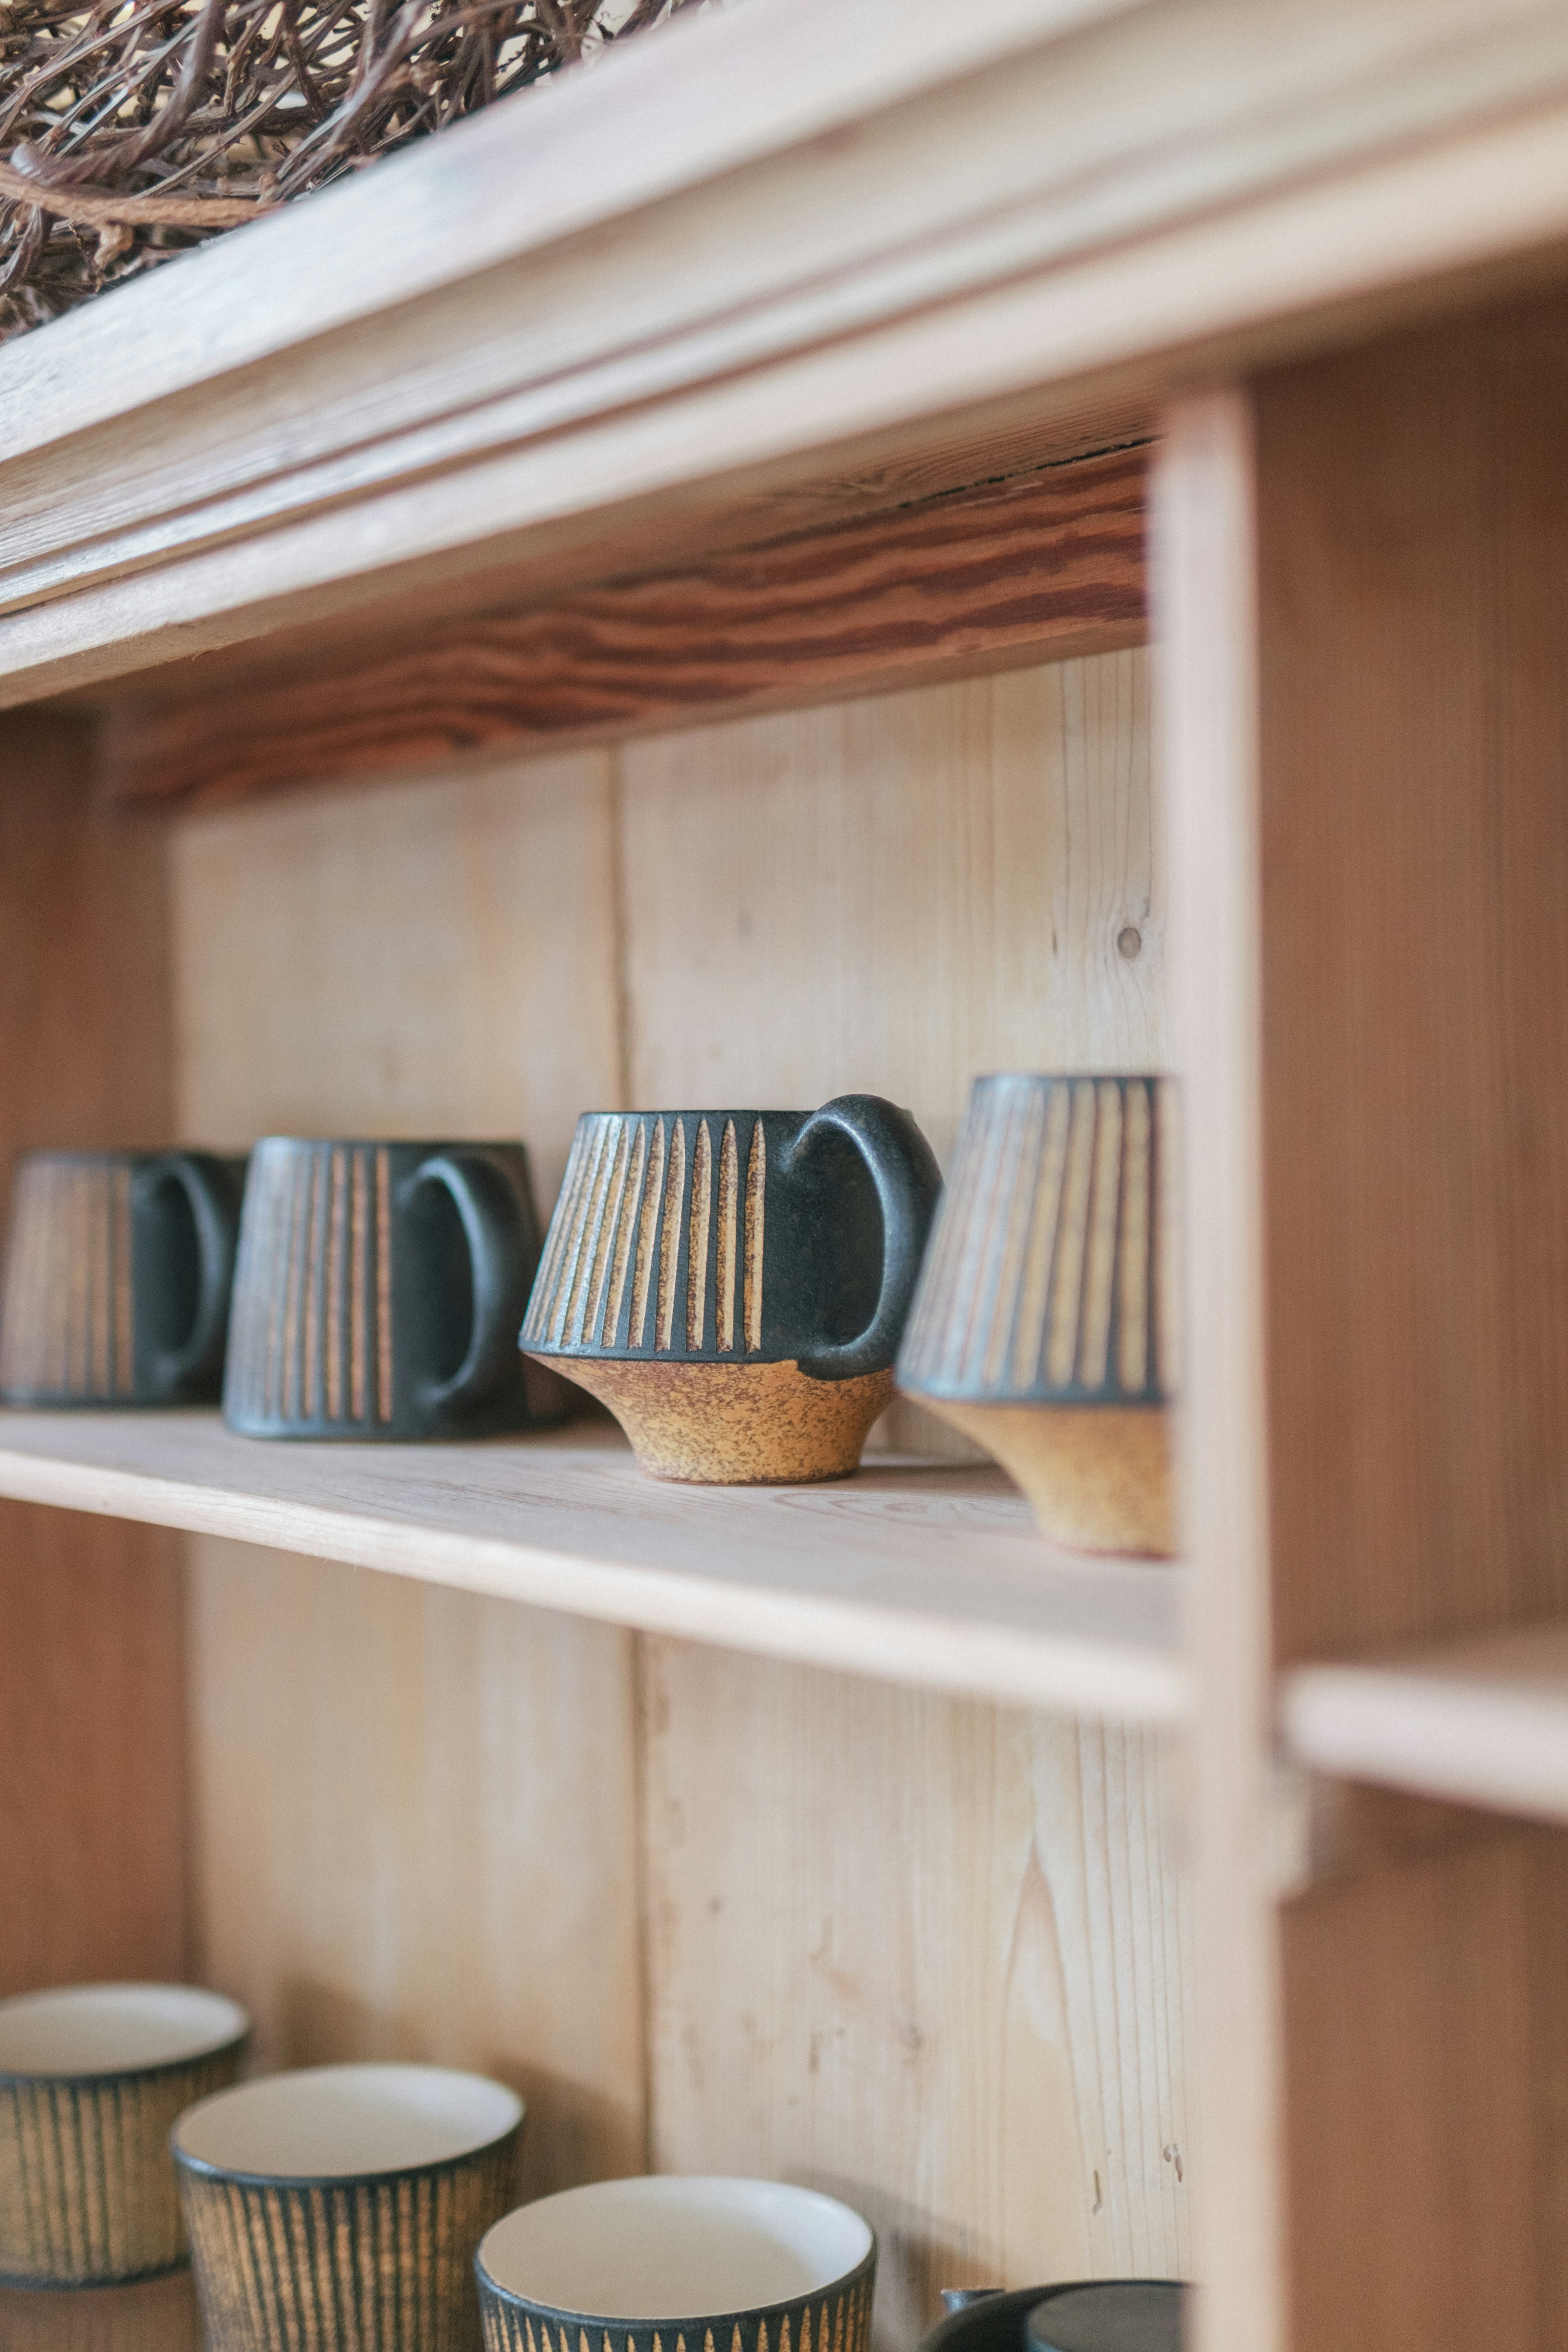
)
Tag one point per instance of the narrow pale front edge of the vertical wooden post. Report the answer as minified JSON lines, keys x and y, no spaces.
{"x":1205,"y":606}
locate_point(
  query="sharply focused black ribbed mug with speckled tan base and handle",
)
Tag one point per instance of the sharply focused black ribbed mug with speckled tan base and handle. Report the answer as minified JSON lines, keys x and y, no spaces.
{"x":735,"y":1283}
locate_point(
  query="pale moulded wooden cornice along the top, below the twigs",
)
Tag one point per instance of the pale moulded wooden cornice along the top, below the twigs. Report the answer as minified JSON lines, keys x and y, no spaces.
{"x":1106,"y":206}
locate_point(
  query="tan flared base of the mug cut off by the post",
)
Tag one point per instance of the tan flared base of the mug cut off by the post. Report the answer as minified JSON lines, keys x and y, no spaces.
{"x":1099,"y":1476}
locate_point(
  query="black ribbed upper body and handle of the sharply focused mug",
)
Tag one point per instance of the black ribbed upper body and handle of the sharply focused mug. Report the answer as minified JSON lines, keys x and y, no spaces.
{"x":739,"y":1236}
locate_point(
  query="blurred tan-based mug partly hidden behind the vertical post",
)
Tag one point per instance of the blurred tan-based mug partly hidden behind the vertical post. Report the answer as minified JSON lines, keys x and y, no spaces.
{"x":1047,"y":1314}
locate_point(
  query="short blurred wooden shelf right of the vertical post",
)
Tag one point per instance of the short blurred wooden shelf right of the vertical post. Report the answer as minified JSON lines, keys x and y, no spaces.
{"x":1480,"y":1723}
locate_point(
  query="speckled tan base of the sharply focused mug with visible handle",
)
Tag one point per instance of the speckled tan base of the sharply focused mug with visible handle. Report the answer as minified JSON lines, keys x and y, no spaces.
{"x":735,"y":1424}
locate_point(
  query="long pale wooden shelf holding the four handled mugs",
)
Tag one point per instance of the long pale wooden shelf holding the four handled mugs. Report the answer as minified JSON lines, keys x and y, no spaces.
{"x":918,"y":1572}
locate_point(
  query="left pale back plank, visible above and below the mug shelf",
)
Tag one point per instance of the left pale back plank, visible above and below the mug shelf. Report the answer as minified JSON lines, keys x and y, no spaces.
{"x":415,"y":1810}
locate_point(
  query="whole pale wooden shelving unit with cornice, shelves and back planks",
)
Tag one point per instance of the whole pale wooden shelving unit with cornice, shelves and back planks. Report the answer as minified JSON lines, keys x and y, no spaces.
{"x":648,"y":601}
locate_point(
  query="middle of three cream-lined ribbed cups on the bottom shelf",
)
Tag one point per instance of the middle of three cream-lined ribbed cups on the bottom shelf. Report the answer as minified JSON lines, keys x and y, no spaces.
{"x":342,"y":2205}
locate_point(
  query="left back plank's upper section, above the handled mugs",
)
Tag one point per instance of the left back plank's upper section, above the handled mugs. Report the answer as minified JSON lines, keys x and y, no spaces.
{"x":424,"y":963}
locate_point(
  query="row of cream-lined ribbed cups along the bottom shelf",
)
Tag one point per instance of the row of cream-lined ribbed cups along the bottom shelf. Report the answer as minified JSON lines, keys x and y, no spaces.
{"x":375,"y":2205}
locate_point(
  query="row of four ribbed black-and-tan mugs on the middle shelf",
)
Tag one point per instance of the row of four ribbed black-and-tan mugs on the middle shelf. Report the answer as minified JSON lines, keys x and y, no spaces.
{"x":742,"y":1288}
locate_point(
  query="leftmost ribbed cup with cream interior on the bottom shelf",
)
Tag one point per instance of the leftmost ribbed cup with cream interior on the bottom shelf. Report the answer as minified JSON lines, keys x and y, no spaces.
{"x":91,"y":2083}
